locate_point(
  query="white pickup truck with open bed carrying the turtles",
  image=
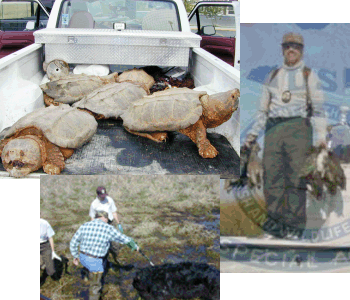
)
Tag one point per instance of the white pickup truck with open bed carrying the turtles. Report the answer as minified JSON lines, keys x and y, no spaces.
{"x":112,"y":150}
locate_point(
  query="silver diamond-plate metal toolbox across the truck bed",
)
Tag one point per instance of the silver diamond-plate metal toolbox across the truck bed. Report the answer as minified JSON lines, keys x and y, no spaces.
{"x":109,"y":46}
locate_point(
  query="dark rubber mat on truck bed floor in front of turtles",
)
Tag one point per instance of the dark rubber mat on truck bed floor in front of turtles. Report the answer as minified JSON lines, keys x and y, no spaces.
{"x":113,"y":150}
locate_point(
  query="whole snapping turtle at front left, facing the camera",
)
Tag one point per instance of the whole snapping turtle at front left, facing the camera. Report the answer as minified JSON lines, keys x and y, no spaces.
{"x":45,"y":138}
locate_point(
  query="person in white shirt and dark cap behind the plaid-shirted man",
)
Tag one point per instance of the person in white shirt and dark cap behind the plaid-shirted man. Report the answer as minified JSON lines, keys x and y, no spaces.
{"x":103,"y":202}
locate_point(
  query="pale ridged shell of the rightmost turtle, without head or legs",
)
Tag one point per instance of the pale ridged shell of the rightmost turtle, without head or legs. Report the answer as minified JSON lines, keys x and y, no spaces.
{"x":168,"y":110}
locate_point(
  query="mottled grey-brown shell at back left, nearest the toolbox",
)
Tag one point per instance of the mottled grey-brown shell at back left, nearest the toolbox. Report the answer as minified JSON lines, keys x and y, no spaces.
{"x":74,"y":87}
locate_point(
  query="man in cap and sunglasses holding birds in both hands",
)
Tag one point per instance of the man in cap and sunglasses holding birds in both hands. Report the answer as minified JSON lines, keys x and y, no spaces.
{"x":291,"y":100}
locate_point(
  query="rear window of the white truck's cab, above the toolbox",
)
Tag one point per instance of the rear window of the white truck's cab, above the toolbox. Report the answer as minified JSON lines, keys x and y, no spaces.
{"x":135,"y":15}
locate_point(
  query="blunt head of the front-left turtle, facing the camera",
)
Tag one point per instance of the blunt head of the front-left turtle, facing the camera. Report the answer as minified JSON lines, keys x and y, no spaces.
{"x":21,"y":156}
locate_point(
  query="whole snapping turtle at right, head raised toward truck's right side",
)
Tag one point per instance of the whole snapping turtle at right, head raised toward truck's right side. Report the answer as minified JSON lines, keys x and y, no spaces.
{"x":181,"y":109}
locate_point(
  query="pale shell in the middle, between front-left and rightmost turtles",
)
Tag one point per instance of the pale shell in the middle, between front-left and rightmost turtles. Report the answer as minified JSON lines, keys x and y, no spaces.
{"x":111,"y":100}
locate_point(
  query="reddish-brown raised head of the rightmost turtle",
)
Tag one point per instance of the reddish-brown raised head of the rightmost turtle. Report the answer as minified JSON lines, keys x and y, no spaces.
{"x":218,"y":108}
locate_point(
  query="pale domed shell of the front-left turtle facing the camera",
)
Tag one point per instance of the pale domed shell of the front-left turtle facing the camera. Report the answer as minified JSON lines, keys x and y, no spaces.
{"x":62,"y":125}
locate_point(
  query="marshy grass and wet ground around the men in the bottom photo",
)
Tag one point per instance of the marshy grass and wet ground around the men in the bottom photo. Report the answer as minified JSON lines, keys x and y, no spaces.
{"x":164,"y":214}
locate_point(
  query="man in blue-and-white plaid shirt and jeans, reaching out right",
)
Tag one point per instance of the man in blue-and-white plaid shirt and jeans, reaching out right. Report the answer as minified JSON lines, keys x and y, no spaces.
{"x":94,"y":239}
